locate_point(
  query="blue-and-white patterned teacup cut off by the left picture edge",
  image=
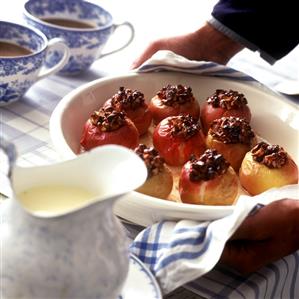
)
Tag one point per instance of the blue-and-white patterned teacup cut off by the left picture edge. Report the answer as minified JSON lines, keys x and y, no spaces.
{"x":23,"y":51}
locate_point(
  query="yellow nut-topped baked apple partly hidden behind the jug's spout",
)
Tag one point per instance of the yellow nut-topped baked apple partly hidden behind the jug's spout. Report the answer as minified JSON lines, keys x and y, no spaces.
{"x":159,"y":180}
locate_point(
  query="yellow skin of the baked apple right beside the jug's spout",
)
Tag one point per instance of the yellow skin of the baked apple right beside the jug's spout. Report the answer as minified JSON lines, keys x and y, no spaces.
{"x":159,"y":185}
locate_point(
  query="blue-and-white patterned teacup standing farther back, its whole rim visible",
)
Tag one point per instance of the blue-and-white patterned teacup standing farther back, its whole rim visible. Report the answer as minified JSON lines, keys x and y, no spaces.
{"x":85,"y":42}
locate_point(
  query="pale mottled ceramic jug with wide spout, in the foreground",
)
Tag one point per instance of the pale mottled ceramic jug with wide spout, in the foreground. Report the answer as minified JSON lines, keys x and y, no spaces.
{"x":81,"y":253}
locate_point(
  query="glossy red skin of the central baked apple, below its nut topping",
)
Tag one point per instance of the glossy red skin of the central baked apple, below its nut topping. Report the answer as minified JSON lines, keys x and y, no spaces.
{"x":175,"y":149}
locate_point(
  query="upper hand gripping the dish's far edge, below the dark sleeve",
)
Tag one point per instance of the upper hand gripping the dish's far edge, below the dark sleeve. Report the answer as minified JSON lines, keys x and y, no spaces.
{"x":207,"y":43}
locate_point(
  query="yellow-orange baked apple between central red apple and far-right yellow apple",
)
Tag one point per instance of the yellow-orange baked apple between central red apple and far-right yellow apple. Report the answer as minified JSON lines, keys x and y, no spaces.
{"x":232,"y":137}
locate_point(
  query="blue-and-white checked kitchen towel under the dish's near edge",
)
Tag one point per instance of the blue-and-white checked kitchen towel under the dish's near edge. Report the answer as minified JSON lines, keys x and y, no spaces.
{"x":178,"y":252}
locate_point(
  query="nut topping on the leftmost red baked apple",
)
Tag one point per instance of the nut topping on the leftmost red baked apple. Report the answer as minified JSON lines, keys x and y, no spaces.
{"x":108,"y":119}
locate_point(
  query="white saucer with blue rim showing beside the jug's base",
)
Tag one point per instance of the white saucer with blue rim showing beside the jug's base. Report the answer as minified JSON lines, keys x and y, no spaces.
{"x":140,"y":282}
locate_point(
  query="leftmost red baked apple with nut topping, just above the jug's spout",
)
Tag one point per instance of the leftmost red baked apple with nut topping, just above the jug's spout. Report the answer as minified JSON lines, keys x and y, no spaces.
{"x":108,"y":126}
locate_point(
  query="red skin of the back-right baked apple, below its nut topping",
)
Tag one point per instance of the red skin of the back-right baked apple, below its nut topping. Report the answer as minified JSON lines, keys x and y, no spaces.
{"x":209,"y":113}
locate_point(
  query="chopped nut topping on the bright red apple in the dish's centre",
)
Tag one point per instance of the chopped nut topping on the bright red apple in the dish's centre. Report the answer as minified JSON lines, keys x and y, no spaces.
{"x":183,"y":125}
